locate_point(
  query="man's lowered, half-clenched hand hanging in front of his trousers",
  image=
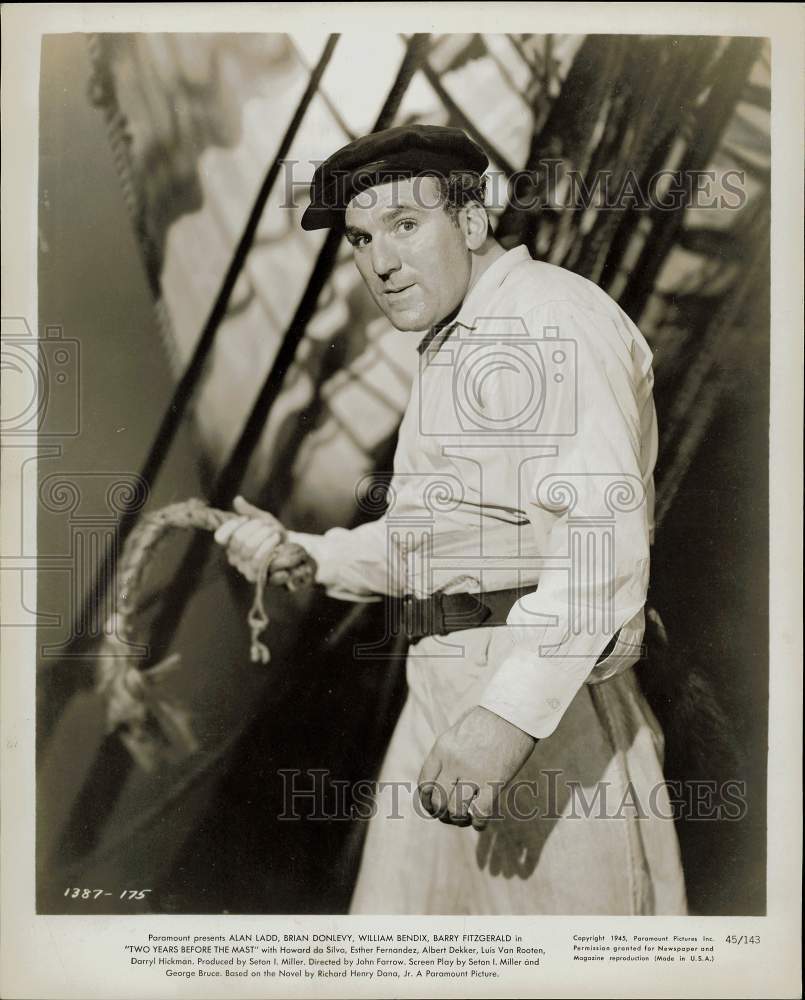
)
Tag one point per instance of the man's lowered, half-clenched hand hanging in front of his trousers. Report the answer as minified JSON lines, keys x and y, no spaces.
{"x":469,"y":765}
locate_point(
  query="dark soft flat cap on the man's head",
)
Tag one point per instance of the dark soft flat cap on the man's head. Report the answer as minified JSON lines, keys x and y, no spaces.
{"x":404,"y":151}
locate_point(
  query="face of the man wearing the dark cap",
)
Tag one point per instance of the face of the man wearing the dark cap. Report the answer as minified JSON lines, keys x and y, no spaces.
{"x":411,"y":254}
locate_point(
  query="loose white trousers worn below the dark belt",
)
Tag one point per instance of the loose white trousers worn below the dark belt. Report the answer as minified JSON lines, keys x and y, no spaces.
{"x":584,"y":829}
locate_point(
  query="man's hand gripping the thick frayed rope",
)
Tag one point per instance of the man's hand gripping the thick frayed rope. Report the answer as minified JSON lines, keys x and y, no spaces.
{"x":249,"y":540}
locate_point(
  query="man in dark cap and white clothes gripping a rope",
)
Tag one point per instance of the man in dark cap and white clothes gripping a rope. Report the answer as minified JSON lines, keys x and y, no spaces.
{"x":516,"y":547}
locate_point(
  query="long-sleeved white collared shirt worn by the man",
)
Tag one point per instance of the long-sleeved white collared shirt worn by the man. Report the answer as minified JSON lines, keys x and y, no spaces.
{"x":524,"y":457}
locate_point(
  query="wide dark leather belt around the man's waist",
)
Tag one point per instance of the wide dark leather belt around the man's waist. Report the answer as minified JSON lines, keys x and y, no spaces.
{"x":442,"y":614}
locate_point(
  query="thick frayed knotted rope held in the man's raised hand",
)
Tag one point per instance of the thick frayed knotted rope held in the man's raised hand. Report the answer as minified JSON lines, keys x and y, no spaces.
{"x":151,"y":726}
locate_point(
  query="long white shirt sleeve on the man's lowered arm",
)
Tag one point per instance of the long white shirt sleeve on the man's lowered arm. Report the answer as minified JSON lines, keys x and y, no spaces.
{"x":586,"y":481}
